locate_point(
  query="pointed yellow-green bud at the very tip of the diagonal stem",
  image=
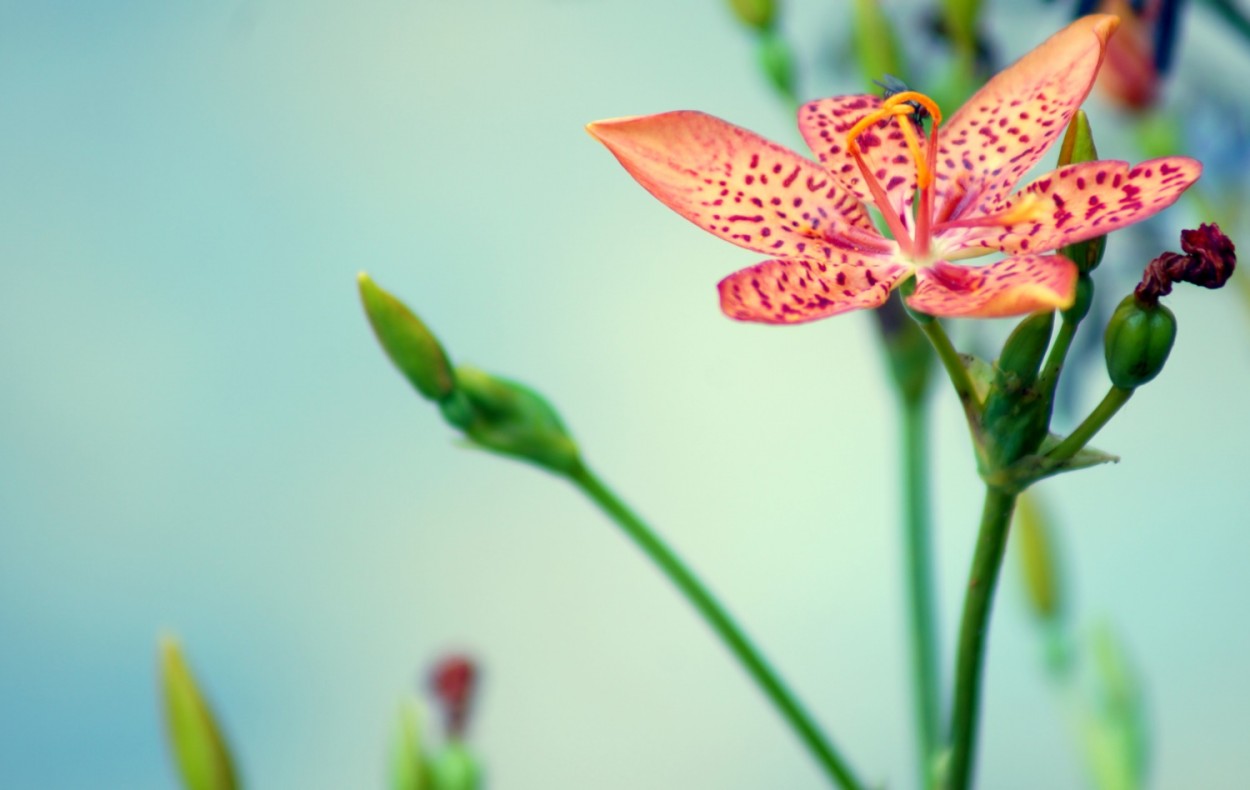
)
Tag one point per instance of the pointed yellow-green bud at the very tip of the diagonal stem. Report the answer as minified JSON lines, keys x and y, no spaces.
{"x":408,"y":343}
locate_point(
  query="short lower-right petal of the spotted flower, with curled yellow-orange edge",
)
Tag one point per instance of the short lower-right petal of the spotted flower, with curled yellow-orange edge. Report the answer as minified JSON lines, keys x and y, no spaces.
{"x":1011,"y":287}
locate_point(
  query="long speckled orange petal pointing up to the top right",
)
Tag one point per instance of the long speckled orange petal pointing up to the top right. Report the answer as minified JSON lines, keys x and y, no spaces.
{"x":1006,"y":128}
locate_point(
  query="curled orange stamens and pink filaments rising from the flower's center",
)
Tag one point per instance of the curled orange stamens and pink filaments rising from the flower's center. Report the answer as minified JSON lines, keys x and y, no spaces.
{"x":902,"y":108}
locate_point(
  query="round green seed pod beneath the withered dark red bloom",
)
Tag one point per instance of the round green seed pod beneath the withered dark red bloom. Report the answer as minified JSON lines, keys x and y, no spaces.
{"x":1138,"y":342}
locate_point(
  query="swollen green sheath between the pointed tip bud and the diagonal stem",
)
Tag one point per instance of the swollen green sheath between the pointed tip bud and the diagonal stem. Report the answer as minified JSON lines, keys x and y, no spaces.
{"x":514,"y":421}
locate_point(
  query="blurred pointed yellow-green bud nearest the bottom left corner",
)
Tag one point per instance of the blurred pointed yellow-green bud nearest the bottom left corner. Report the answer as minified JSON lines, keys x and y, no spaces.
{"x":199,"y":749}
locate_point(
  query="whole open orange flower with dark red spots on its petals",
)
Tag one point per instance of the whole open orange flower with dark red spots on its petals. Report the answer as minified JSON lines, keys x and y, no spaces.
{"x":944,"y":197}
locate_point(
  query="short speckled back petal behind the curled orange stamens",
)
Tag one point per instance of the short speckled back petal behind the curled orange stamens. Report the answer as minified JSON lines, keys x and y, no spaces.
{"x":824,"y":126}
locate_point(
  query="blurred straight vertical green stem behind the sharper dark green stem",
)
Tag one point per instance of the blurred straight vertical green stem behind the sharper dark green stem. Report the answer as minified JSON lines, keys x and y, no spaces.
{"x":919,"y":583}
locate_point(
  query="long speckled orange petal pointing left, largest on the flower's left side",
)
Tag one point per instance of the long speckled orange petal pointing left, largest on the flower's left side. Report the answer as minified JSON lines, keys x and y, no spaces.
{"x":736,"y":184}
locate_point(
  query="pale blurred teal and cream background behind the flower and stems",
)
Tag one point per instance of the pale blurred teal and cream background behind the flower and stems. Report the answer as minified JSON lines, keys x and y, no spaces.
{"x":198,"y":433}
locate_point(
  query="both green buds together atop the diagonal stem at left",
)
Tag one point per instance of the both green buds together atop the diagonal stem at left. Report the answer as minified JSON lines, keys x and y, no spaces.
{"x":494,"y":414}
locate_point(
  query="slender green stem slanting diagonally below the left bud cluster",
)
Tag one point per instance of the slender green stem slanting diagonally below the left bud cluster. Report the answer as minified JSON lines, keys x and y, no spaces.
{"x":719,"y":619}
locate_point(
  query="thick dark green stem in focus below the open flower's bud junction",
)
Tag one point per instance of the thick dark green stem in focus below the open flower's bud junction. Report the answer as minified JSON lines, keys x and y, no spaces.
{"x":973,"y":632}
